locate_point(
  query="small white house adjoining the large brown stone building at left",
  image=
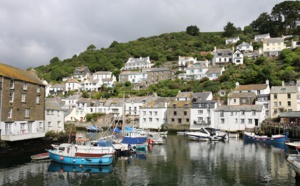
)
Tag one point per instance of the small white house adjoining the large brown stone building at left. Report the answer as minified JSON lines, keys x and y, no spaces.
{"x":54,"y":116}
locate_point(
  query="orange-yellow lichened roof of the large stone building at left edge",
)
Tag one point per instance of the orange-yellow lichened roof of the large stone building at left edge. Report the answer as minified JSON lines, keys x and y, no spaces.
{"x":19,"y":74}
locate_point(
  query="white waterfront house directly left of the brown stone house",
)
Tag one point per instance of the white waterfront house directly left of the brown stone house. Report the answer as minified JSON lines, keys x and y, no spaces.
{"x":154,"y":114}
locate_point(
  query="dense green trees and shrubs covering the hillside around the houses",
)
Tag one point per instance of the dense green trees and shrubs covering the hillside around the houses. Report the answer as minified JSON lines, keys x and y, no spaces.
{"x":284,"y":19}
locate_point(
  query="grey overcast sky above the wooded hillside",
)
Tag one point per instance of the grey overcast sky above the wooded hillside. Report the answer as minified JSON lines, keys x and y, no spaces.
{"x":34,"y":31}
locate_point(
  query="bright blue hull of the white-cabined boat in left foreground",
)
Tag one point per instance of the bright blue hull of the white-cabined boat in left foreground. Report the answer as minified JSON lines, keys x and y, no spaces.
{"x":75,"y":160}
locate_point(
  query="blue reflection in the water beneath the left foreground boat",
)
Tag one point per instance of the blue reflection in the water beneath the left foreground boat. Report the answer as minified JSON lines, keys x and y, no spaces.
{"x":57,"y":167}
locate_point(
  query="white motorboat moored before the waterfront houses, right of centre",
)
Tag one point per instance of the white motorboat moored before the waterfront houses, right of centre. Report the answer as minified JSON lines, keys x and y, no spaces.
{"x":207,"y":134}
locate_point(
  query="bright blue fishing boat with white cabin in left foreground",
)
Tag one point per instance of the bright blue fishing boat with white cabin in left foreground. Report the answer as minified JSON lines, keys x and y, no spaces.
{"x":66,"y":154}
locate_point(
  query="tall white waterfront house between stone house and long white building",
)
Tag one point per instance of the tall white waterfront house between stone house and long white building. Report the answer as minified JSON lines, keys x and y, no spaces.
{"x":202,"y":111}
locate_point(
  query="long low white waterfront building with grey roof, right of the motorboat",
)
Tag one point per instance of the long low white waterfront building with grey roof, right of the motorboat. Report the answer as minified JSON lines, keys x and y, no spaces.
{"x":239,"y":117}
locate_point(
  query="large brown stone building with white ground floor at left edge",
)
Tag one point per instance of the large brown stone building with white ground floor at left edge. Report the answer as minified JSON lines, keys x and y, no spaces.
{"x":22,"y":104}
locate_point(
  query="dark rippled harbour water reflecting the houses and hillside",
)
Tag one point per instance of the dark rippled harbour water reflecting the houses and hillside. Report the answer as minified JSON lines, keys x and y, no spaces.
{"x":178,"y":162}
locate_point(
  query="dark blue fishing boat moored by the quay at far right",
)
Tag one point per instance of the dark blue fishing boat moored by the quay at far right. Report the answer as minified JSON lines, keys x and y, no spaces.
{"x":279,"y":138}
